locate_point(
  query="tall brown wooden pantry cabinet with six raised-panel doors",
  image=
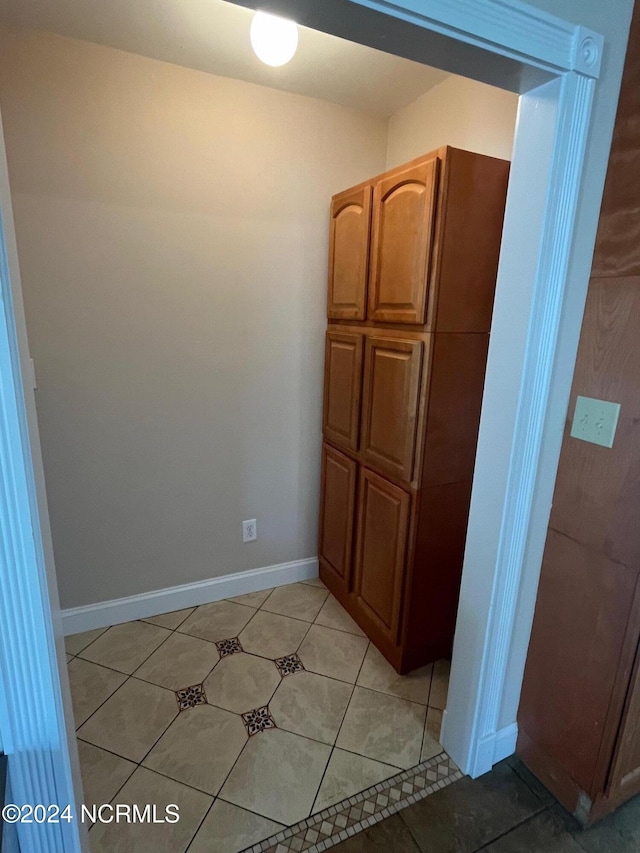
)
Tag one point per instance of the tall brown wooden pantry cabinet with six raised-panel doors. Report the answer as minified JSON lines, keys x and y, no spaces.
{"x":412,"y":268}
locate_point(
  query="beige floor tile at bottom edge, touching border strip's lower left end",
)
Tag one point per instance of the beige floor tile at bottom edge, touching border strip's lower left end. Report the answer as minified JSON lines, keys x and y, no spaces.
{"x":228,"y":829}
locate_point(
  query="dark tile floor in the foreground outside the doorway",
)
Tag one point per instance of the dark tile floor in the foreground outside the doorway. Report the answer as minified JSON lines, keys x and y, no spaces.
{"x":505,"y":811}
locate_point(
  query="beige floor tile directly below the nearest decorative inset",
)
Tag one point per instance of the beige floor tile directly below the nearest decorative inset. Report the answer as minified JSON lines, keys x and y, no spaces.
{"x":277,"y":776}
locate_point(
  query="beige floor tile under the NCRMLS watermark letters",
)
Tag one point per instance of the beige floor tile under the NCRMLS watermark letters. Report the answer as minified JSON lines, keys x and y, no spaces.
{"x":147,"y":787}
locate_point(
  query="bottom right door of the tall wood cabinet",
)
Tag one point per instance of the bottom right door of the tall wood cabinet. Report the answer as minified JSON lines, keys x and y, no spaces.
{"x":383,"y":523}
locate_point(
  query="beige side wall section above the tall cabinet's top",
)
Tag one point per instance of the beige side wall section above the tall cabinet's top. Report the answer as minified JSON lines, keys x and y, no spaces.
{"x":457,"y":112}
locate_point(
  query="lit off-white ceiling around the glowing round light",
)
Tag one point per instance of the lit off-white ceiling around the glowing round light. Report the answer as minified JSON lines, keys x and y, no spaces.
{"x":213,"y":36}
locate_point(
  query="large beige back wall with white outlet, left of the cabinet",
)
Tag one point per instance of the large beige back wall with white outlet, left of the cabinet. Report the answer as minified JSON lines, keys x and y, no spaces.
{"x":172,"y":232}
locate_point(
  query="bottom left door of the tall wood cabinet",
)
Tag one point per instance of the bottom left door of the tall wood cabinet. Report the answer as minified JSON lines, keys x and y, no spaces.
{"x":337,"y":510}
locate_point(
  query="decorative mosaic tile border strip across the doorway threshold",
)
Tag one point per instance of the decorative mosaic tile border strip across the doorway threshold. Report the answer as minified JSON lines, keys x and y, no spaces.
{"x":339,"y":822}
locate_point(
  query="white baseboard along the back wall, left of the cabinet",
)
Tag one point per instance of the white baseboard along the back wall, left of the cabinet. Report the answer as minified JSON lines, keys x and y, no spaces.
{"x":117,"y":610}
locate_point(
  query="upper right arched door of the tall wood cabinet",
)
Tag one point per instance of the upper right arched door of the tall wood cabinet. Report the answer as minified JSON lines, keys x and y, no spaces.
{"x":403,"y":224}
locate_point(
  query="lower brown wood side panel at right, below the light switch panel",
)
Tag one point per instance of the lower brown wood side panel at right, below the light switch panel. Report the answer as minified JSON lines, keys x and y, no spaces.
{"x":583,"y":608}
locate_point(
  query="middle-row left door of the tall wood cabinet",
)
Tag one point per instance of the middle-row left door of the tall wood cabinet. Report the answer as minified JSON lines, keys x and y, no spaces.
{"x":342,"y":388}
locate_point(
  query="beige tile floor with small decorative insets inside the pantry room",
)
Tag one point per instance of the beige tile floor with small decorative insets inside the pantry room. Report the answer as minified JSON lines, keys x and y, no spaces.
{"x":251,"y":714}
